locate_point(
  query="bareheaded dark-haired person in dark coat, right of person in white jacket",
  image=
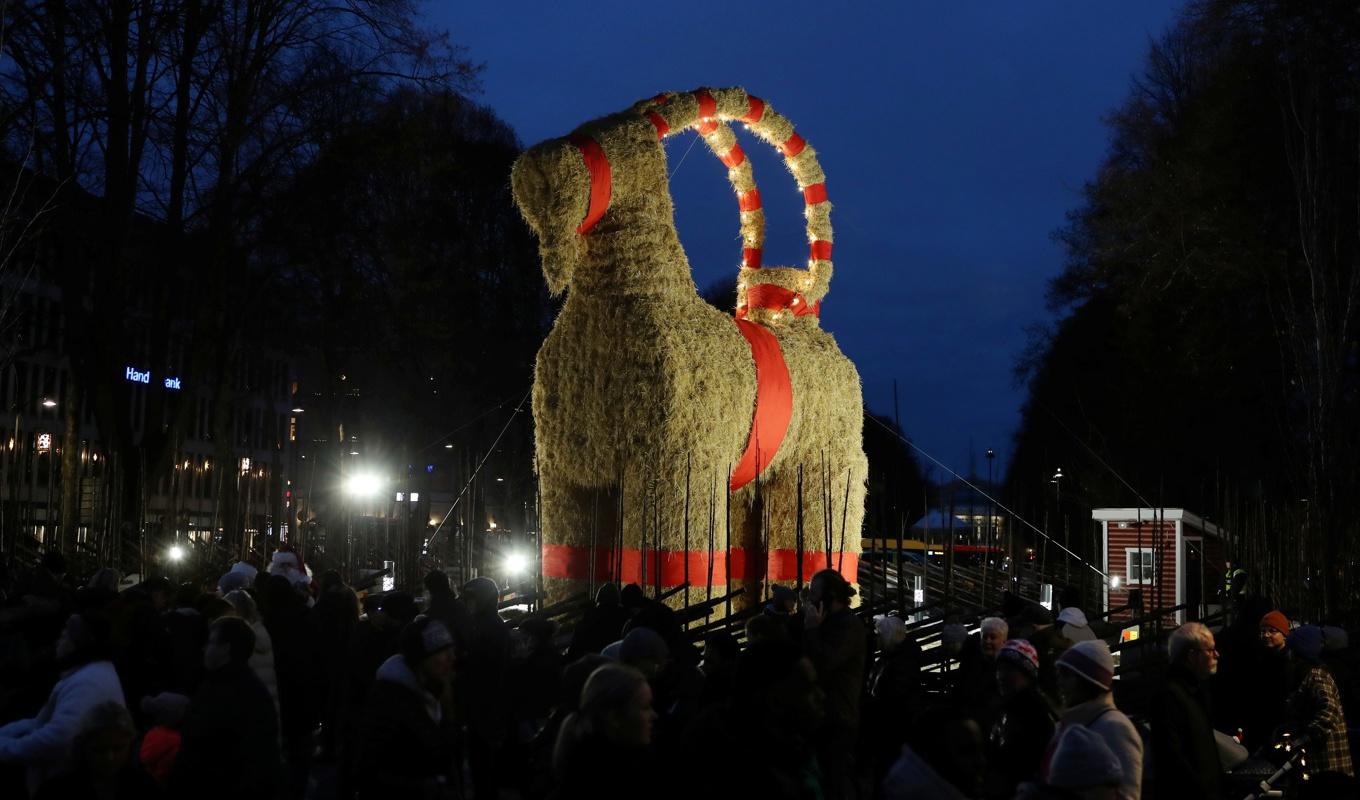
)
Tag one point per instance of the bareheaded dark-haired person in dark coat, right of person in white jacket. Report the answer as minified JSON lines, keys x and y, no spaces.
{"x":229,"y":746}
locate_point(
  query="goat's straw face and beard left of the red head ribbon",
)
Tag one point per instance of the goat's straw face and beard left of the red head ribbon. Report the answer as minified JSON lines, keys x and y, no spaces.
{"x":553,"y":188}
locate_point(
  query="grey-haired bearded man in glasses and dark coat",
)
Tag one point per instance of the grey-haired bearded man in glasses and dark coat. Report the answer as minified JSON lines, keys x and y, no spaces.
{"x":1185,"y":756}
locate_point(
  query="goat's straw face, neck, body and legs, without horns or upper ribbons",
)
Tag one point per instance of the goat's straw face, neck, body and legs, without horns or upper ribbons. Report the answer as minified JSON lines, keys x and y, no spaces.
{"x":644,"y":386}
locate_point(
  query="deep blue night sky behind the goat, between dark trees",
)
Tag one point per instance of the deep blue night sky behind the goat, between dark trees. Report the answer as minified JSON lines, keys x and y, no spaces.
{"x":955,"y":137}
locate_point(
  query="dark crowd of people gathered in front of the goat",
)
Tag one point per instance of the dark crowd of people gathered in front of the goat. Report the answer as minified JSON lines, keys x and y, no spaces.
{"x":273,"y":684}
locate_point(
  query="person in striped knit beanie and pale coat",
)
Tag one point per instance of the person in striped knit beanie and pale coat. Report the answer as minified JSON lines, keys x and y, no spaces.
{"x":1086,"y":678}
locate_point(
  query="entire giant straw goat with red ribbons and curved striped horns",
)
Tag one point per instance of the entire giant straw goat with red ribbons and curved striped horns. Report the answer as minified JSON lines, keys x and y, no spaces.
{"x":649,"y":403}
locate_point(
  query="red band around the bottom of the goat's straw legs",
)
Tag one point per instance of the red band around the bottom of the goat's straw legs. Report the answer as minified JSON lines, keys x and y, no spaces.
{"x":569,"y":561}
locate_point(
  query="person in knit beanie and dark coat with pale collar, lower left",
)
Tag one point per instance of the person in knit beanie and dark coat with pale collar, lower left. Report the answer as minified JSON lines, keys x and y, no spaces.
{"x":409,"y":738}
